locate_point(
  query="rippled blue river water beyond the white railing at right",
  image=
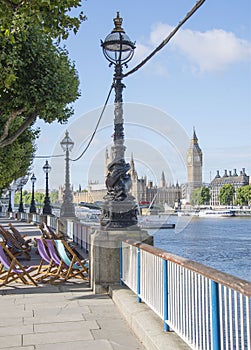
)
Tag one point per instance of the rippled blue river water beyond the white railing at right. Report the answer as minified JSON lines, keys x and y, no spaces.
{"x":221,"y":243}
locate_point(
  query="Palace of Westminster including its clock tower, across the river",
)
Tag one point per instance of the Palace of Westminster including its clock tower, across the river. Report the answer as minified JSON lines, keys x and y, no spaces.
{"x":145,"y":191}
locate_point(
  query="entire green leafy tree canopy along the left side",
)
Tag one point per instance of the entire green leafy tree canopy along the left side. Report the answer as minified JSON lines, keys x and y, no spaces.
{"x":37,"y":79}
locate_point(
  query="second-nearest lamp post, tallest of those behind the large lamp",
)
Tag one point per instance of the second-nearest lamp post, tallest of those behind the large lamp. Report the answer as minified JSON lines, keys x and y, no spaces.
{"x":67,"y":209}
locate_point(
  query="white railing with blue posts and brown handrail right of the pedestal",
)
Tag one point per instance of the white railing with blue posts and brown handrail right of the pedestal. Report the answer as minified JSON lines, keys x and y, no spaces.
{"x":207,"y":308}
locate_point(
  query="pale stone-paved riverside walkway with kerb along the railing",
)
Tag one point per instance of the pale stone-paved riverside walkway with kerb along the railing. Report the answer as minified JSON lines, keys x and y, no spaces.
{"x":71,"y":316}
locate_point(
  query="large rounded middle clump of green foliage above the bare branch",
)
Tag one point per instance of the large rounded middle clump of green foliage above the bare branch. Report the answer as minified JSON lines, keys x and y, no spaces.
{"x":44,"y":85}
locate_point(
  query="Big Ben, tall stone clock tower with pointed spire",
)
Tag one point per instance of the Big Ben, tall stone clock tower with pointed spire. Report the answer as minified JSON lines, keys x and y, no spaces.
{"x":194,"y":165}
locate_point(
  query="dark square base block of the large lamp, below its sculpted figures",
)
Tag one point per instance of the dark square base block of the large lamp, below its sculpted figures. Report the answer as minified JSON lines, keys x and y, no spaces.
{"x":119,"y":214}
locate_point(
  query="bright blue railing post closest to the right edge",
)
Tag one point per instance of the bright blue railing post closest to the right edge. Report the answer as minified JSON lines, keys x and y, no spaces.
{"x":215,"y":315}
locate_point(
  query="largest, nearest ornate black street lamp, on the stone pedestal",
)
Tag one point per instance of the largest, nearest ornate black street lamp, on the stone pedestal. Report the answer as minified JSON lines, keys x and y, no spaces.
{"x":119,"y":209}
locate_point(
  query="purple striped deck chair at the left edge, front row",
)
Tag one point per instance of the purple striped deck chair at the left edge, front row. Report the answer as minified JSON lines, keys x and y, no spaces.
{"x":12,"y":270}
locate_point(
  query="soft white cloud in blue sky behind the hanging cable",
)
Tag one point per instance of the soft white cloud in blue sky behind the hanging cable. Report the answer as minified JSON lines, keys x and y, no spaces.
{"x":212,"y":50}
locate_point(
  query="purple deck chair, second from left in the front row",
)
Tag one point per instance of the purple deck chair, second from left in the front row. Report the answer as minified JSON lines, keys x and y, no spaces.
{"x":53,"y":269}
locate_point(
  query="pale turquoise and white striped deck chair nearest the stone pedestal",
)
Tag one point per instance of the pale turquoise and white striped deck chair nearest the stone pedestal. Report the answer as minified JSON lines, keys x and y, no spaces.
{"x":76,"y":267}
